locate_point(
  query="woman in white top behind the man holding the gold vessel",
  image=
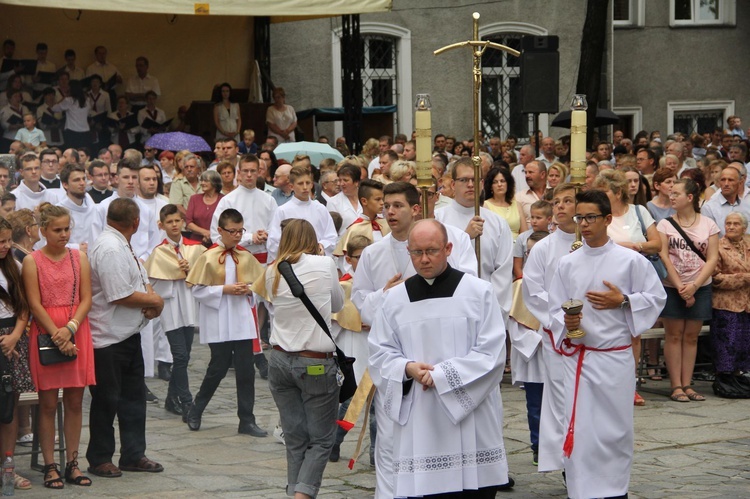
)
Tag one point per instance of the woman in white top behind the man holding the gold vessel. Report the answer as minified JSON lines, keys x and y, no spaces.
{"x":632,"y":229}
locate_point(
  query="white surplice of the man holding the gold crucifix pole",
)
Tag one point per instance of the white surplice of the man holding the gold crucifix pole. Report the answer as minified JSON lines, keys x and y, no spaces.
{"x":496,"y":246}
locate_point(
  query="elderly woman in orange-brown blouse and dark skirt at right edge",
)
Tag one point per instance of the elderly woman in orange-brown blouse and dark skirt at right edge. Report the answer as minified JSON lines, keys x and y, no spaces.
{"x":730,"y":324}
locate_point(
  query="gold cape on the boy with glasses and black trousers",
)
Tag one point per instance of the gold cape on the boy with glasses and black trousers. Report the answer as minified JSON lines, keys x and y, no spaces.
{"x":209,"y":269}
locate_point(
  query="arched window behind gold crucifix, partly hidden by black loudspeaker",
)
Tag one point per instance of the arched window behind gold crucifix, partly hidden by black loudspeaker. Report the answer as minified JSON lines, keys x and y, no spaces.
{"x":501,"y":84}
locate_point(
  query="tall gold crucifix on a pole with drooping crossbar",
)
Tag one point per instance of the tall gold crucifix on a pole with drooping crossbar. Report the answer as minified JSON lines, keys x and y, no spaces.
{"x":477,"y":50}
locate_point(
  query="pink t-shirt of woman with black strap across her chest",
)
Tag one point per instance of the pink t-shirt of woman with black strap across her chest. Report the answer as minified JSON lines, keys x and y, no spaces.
{"x":687,"y":264}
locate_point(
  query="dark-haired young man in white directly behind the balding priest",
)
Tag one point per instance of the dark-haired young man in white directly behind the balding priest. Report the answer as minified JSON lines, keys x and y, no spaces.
{"x":382,"y":266}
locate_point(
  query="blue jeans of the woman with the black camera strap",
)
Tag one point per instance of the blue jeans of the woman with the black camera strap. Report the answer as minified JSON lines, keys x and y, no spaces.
{"x":307,"y":406}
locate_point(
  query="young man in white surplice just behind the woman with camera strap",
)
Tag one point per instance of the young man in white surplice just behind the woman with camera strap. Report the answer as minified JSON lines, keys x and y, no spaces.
{"x":256,"y":206}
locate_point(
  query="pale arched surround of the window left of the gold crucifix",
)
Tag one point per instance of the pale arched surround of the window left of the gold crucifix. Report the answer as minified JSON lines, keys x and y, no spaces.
{"x":404,"y":96}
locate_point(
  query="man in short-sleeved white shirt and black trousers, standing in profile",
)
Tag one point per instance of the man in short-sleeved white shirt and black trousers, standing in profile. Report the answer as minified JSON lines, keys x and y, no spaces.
{"x":122,"y":304}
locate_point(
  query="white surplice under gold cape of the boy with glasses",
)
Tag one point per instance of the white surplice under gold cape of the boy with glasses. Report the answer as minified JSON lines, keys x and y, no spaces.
{"x":224,"y":317}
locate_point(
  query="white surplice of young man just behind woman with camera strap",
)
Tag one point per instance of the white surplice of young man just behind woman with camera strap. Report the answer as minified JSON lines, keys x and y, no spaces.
{"x":257,"y":210}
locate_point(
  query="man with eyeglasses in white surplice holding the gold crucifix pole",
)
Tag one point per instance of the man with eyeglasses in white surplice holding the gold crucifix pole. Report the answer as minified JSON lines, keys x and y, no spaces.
{"x":496,"y":241}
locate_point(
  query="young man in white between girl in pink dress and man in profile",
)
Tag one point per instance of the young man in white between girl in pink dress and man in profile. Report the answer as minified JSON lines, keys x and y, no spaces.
{"x":80,"y":205}
